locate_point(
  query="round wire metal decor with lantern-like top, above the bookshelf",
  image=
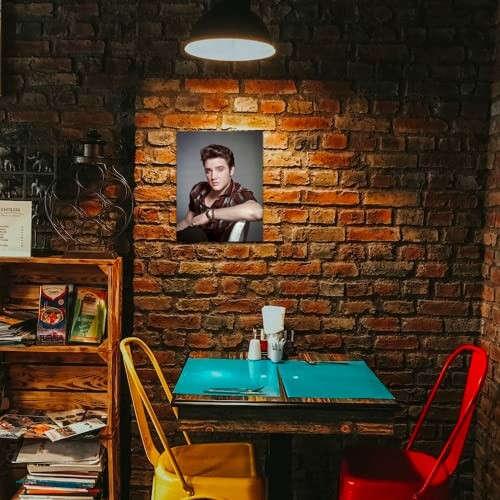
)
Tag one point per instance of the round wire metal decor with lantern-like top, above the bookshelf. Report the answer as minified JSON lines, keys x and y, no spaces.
{"x":90,"y":204}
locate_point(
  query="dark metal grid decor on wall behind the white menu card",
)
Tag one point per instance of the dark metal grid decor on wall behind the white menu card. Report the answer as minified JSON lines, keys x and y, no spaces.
{"x":26,"y":173}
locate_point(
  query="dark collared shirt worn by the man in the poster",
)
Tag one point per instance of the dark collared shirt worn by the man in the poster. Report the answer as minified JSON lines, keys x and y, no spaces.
{"x":235,"y":194}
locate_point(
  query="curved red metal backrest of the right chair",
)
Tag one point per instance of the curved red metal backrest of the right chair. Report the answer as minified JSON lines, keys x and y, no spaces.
{"x":452,"y":449}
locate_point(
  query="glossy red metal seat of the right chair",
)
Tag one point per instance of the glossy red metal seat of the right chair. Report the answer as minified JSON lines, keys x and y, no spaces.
{"x":372,"y":472}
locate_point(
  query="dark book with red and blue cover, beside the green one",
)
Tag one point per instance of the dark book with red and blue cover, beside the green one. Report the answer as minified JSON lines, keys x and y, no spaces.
{"x":52,"y":315}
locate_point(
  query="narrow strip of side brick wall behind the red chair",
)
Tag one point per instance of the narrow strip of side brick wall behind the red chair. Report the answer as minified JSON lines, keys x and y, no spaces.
{"x":487,"y":451}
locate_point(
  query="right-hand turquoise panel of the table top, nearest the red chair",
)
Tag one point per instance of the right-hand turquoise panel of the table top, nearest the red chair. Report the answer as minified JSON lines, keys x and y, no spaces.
{"x":353,"y":380}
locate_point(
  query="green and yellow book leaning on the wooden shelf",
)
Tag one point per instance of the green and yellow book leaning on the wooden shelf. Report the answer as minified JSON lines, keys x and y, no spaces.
{"x":89,"y":316}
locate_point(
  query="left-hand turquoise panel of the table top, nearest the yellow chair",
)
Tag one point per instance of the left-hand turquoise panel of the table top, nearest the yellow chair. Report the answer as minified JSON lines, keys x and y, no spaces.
{"x":220,"y":376}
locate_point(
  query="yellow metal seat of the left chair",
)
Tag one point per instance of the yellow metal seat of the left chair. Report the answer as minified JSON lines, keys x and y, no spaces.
{"x":217,"y":470}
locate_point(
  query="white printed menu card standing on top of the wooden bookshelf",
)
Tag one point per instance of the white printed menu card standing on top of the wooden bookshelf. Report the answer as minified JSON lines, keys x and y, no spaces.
{"x":15,"y":228}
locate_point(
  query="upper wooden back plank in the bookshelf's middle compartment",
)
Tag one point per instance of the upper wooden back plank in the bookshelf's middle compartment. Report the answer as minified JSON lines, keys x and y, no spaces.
{"x":66,"y":377}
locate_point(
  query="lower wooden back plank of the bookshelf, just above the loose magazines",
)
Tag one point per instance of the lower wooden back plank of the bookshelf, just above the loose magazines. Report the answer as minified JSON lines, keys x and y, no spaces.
{"x":56,"y":401}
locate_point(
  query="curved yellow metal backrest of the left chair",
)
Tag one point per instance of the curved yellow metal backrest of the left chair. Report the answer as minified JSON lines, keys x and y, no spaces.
{"x":144,"y":409}
